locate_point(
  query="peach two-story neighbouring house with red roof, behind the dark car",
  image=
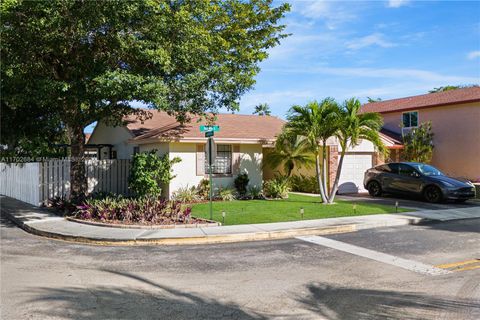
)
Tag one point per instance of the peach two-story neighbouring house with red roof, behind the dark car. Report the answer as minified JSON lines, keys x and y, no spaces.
{"x":455,"y":118}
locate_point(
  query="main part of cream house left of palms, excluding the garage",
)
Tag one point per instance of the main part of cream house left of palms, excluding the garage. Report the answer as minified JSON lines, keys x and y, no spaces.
{"x":240,"y":145}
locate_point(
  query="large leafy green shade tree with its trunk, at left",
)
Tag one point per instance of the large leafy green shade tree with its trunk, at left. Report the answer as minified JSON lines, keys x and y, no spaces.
{"x":87,"y":60}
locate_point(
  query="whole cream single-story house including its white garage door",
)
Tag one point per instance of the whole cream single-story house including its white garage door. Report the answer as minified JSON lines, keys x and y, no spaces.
{"x":242,"y":142}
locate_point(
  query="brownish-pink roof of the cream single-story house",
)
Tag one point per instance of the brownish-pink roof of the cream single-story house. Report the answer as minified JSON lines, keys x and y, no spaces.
{"x":232,"y":126}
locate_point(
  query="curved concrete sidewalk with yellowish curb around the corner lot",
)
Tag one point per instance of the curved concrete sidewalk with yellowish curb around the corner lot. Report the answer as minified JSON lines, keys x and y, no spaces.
{"x":41,"y":222}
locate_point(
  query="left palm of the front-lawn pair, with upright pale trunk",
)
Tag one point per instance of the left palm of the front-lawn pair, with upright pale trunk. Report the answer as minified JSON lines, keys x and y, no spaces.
{"x":316,"y":122}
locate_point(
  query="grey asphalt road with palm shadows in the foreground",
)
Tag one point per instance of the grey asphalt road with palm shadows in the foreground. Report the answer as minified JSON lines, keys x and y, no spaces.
{"x":287,"y":279}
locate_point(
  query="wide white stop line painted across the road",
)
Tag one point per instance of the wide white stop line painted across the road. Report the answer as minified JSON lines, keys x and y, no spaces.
{"x":411,"y":265}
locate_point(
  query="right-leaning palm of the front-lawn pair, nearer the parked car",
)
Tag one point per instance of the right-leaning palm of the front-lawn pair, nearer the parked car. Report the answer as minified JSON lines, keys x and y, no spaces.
{"x":354,"y":127}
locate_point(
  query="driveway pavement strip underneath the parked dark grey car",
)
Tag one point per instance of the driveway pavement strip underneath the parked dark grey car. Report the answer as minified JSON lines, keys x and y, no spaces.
{"x":409,"y":202}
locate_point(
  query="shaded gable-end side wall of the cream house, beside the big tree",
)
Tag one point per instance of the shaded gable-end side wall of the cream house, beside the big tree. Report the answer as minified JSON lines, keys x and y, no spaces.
{"x":118,"y":136}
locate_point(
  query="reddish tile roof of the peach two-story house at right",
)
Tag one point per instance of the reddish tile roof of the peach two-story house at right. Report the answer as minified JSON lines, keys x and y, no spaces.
{"x":457,"y":96}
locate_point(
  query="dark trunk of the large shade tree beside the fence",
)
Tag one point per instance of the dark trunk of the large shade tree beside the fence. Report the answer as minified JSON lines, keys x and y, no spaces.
{"x":78,"y":178}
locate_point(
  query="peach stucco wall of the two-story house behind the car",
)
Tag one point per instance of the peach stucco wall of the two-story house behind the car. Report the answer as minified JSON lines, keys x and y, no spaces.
{"x":456,"y":137}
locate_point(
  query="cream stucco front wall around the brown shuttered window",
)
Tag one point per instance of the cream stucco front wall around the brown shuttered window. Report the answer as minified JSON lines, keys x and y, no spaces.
{"x":186,"y":173}
